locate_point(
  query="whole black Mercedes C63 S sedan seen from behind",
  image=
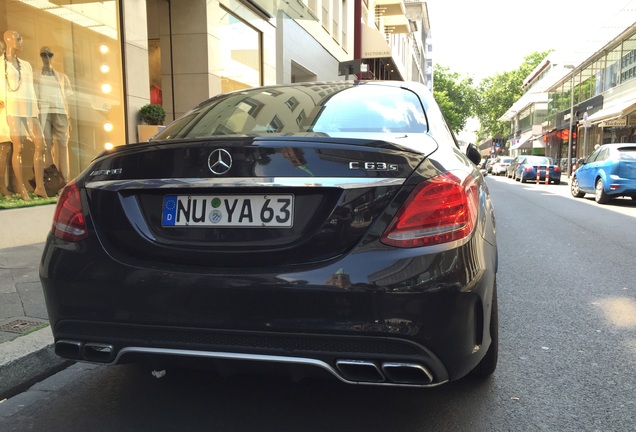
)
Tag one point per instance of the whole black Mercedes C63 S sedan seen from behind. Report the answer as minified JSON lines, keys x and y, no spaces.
{"x":319,"y":227}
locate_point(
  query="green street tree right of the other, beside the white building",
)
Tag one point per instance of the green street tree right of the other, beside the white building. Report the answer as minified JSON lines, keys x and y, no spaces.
{"x":495,"y":95}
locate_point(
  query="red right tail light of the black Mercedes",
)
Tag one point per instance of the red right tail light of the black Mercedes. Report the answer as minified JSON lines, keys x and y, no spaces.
{"x":440,"y":210}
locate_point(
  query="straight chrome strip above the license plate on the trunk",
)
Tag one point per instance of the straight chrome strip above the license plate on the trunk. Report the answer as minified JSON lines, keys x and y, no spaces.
{"x":197,"y":183}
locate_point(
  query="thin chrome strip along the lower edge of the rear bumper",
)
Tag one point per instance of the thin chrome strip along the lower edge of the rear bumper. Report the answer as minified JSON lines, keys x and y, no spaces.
{"x":257,"y":357}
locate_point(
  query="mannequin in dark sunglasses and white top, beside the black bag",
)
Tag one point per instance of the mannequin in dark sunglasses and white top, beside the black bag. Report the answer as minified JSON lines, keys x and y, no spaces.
{"x":53,"y":89}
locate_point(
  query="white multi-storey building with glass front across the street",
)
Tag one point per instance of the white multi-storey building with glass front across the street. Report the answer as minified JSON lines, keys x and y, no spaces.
{"x":575,"y":101}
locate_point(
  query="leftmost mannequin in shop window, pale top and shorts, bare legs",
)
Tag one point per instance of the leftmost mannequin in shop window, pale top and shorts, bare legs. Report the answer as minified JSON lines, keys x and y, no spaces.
{"x":17,"y":96}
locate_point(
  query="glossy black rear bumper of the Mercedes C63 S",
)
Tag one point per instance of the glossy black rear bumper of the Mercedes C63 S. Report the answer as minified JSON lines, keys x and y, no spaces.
{"x":356,"y":318}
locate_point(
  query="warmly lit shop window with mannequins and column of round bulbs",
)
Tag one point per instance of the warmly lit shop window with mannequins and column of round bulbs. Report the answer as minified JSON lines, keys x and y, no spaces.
{"x":69,"y":55}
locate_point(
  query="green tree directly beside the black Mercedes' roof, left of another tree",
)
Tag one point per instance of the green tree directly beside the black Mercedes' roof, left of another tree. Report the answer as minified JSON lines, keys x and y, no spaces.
{"x":455,"y":96}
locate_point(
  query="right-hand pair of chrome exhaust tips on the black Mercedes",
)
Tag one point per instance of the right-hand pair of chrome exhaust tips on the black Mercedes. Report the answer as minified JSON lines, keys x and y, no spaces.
{"x":388,"y":372}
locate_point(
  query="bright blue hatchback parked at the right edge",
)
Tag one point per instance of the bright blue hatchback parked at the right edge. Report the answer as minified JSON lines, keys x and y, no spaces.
{"x":607,"y":173}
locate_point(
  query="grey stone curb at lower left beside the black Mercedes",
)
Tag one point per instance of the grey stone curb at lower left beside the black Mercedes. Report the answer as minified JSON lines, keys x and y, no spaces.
{"x":27,"y":360}
